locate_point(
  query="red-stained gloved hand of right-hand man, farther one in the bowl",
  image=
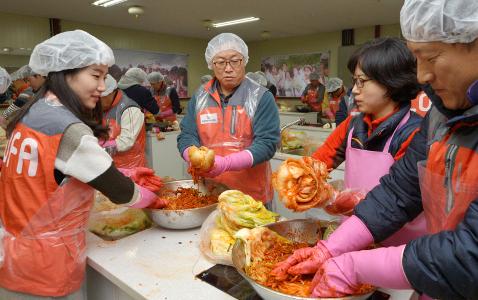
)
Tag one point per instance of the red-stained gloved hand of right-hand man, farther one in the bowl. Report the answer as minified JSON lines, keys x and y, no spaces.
{"x":302,"y":261}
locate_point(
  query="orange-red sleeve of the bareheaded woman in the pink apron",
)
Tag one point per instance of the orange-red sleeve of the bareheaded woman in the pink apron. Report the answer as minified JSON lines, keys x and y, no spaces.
{"x":332,"y":152}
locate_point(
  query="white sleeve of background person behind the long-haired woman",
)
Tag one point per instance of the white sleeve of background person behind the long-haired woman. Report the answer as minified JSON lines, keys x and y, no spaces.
{"x":132,"y":121}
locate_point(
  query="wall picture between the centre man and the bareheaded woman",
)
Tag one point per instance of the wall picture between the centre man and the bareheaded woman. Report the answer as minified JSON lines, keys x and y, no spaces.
{"x":290,"y":73}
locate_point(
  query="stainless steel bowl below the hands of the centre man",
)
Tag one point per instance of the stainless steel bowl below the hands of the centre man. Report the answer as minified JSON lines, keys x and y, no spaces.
{"x":186,"y":218}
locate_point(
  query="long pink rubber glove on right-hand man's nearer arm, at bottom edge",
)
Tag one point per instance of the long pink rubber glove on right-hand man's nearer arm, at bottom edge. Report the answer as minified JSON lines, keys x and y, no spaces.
{"x":343,"y":275}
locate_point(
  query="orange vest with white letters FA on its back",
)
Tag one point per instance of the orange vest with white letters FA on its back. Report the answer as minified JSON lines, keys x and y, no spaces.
{"x":44,"y":224}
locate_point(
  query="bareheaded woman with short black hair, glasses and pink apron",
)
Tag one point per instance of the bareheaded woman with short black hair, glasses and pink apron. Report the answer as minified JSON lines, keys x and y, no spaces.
{"x":384,"y":83}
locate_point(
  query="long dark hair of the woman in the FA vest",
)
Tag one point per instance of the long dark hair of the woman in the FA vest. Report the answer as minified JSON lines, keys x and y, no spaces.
{"x":57,"y":84}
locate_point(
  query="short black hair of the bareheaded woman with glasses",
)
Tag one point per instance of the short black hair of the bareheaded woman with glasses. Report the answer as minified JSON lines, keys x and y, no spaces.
{"x":389,"y":62}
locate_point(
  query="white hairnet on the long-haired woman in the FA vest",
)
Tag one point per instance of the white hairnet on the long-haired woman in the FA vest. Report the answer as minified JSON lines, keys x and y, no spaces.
{"x":70,"y":50}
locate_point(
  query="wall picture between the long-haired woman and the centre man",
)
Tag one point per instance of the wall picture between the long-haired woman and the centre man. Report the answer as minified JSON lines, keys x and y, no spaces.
{"x":173,"y":66}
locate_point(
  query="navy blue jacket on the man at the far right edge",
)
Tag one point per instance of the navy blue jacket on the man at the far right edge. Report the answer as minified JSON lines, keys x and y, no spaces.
{"x":442,"y":265}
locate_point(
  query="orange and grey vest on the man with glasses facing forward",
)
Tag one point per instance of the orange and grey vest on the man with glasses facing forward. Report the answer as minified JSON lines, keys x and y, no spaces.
{"x":229,"y":129}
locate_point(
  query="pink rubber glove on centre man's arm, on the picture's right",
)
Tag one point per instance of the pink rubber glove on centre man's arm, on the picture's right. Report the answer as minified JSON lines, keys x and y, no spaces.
{"x":232,"y":162}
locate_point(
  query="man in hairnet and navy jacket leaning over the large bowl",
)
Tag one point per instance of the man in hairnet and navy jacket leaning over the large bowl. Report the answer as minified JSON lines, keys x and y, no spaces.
{"x":437,"y":175}
